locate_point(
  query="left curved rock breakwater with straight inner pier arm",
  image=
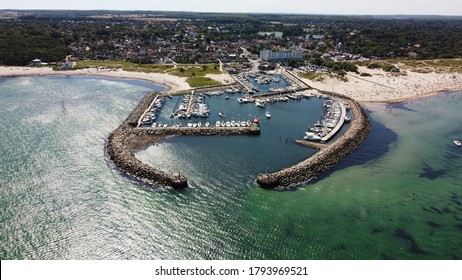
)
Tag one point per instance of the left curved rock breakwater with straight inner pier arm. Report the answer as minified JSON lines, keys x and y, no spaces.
{"x":120,"y":143}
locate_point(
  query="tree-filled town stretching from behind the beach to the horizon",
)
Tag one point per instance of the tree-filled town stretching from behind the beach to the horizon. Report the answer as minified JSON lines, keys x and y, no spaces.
{"x":311,"y":43}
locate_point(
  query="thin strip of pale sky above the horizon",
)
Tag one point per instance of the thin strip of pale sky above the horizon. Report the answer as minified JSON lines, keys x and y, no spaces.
{"x":347,"y":7}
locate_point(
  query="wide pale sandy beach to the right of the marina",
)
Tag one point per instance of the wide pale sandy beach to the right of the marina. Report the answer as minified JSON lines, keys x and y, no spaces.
{"x":390,"y":87}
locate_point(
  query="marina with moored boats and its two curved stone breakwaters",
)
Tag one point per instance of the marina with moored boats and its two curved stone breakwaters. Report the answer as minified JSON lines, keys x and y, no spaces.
{"x":212,"y":112}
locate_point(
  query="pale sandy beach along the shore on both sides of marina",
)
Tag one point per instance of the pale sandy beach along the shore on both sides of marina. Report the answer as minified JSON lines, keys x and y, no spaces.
{"x":380,"y":87}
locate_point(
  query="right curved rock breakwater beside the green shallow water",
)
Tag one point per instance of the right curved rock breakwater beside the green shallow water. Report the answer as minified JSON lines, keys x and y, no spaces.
{"x":326,"y":157}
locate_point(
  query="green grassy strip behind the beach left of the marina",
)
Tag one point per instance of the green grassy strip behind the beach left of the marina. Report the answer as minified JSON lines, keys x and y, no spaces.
{"x":194,"y":72}
